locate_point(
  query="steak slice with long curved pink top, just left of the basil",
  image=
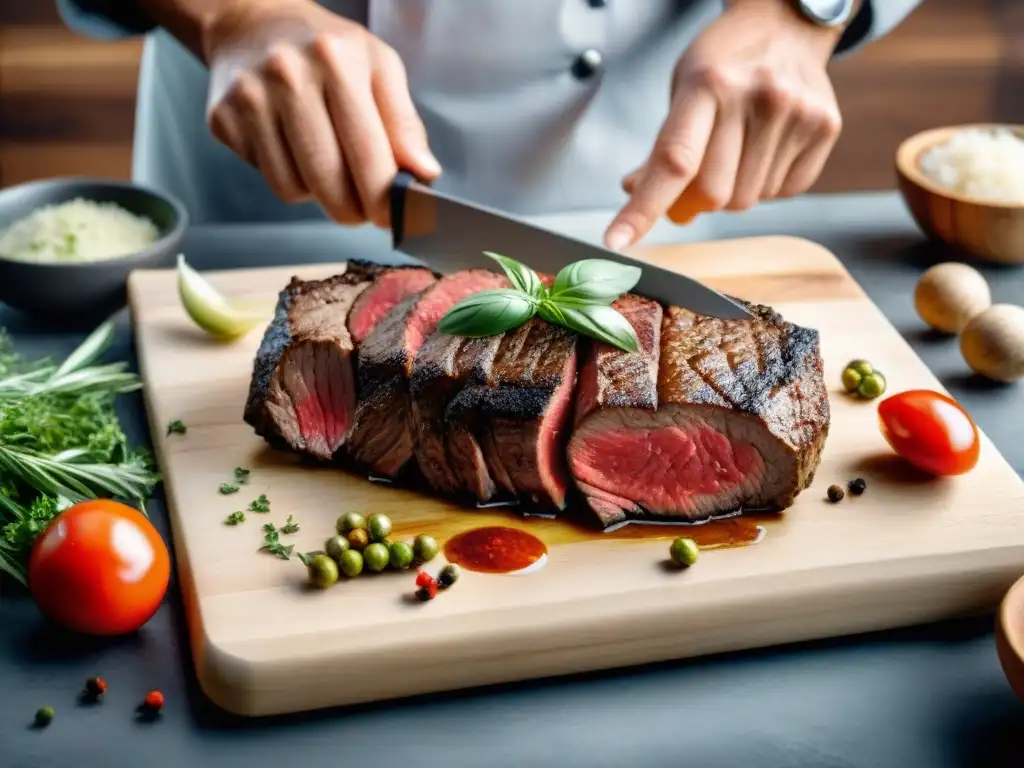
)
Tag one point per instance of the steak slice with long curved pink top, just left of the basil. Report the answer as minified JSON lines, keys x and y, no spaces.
{"x":380,"y":438}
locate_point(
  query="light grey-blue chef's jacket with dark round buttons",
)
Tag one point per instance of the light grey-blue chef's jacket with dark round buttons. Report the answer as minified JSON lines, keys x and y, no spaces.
{"x":518,"y":114}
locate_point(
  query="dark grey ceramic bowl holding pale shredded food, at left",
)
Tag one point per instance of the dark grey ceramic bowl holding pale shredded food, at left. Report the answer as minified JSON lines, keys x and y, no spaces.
{"x":86,"y":292}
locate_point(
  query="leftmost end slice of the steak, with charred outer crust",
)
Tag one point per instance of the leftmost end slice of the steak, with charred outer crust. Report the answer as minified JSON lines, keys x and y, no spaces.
{"x":303,"y":392}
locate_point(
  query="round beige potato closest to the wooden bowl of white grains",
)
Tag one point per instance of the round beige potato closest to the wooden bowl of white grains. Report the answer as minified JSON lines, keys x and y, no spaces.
{"x":950,"y":295}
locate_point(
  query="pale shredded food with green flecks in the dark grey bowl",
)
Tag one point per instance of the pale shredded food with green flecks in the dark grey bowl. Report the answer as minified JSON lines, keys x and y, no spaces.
{"x":77,"y":231}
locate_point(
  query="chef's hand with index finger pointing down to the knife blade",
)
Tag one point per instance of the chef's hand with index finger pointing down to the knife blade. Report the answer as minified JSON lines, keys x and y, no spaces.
{"x":753,"y":117}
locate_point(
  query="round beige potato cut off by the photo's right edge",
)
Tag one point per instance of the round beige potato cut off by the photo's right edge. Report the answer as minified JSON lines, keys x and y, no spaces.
{"x":993,"y":344}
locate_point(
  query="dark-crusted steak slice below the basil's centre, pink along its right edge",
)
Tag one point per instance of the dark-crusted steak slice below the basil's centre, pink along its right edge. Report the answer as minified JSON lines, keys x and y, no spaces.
{"x":521,"y":415}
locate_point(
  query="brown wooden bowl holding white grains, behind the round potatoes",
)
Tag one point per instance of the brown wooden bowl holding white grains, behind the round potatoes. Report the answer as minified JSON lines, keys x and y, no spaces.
{"x":988,"y":231}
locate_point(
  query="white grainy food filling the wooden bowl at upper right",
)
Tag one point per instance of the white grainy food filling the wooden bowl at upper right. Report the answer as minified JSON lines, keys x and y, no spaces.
{"x":986,"y":164}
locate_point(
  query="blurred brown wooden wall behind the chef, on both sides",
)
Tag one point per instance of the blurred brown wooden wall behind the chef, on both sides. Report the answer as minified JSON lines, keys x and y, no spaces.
{"x":67,"y":105}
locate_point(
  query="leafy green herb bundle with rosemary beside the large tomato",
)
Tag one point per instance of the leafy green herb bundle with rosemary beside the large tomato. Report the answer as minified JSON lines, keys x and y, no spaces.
{"x":61,"y":442}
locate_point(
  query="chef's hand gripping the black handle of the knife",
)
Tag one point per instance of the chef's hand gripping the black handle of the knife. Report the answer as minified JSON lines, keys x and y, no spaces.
{"x":315,"y":102}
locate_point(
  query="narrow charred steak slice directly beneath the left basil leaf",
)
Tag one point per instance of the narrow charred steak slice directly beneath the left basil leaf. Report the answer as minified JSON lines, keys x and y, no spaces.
{"x":443,"y":367}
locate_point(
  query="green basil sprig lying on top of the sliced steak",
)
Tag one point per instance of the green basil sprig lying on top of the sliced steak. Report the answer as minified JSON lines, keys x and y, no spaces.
{"x":580,"y":300}
